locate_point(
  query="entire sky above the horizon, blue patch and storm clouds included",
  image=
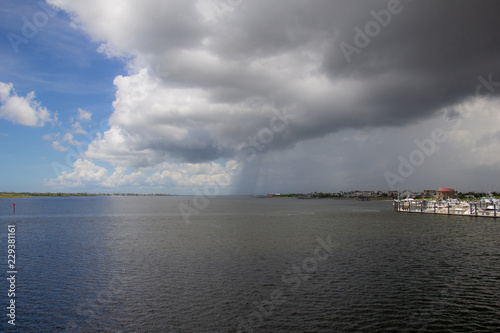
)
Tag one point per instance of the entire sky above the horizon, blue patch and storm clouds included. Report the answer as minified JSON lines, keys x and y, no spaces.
{"x":249,"y":97}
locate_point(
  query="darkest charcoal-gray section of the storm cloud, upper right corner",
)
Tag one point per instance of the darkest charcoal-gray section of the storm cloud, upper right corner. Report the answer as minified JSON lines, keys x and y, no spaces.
{"x":428,"y":56}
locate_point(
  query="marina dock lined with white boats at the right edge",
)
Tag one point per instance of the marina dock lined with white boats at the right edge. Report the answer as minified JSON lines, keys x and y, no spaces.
{"x":486,"y":207}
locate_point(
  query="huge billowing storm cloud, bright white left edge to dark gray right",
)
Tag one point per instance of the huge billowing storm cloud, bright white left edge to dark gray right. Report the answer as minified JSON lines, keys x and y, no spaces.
{"x":192,"y":90}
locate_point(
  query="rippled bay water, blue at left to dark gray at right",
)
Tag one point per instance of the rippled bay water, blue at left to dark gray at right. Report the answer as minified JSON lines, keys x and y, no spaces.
{"x":133,"y":264}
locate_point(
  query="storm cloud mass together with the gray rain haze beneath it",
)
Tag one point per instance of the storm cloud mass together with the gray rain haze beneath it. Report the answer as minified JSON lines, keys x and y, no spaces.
{"x":271,"y":83}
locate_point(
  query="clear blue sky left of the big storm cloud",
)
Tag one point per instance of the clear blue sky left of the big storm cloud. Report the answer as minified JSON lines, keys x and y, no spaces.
{"x":62,"y":67}
